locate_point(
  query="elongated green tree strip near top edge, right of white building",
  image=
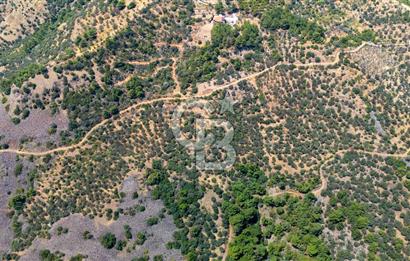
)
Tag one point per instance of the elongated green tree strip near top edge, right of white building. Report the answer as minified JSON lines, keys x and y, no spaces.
{"x":281,"y":18}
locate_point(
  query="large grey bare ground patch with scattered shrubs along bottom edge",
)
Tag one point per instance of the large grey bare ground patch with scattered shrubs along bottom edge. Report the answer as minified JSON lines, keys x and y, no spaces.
{"x":72,"y":243}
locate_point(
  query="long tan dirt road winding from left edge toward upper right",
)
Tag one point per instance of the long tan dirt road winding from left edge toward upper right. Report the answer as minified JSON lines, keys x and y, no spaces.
{"x":176,"y":98}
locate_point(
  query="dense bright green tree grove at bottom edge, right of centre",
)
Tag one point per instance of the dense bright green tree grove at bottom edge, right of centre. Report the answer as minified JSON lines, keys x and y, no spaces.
{"x":293,"y":221}
